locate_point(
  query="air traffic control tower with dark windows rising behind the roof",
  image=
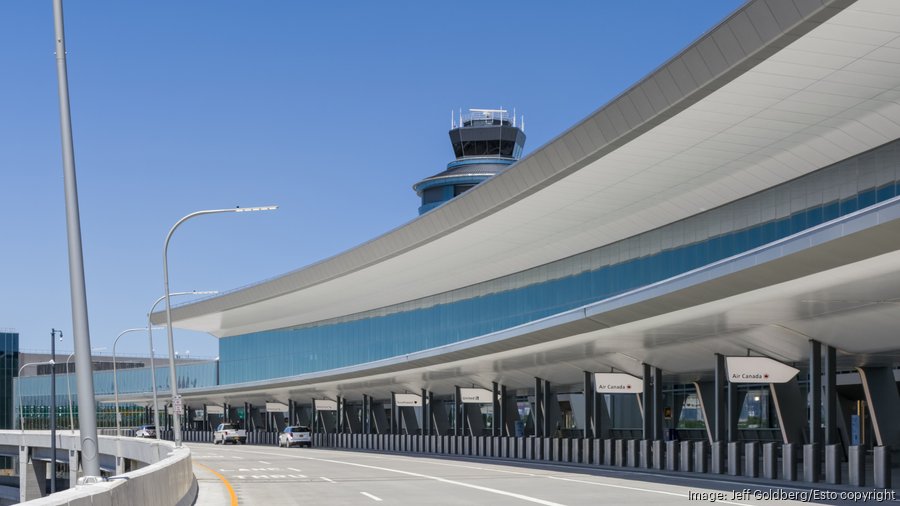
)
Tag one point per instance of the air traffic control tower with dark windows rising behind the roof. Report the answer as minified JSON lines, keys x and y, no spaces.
{"x":485,"y":142}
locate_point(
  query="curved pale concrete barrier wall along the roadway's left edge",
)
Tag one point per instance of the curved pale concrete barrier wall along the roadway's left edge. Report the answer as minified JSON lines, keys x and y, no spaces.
{"x":166,"y":479}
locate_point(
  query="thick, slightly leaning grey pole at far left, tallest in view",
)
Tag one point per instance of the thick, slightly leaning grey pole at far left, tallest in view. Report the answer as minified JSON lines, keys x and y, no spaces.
{"x":85,"y":380}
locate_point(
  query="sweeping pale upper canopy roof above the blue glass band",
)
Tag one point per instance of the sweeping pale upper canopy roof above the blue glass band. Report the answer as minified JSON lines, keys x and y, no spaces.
{"x":777,"y":90}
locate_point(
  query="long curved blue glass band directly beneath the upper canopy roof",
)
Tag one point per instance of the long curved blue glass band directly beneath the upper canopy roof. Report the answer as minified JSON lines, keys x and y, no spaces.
{"x":734,"y":228}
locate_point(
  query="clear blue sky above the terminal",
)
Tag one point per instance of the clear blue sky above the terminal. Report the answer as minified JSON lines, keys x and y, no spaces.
{"x":331,"y":110}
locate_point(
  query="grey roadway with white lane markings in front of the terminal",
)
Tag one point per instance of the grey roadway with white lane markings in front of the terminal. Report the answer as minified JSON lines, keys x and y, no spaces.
{"x":253,"y":475}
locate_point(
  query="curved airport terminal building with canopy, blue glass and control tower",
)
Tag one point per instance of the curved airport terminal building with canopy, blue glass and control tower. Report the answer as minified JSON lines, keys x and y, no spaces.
{"x":741,"y":201}
